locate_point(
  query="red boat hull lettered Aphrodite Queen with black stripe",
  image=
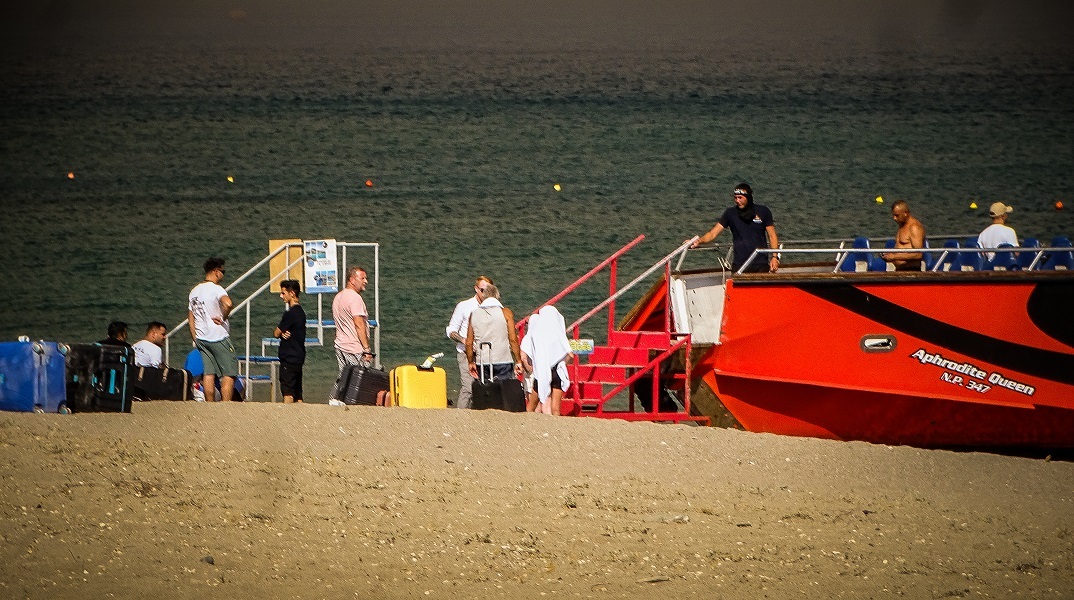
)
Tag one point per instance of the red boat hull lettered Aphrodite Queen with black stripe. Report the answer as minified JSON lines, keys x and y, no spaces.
{"x":922,"y":361}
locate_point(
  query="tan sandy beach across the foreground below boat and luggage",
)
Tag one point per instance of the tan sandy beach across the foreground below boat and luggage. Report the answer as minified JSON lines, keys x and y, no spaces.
{"x":263,"y":501}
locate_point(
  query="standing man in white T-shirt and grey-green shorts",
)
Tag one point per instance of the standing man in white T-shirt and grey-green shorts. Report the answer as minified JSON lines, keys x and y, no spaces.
{"x":208,"y":316}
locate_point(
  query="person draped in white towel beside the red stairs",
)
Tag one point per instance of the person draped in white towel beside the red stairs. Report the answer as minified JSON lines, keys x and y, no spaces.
{"x":546,"y":350}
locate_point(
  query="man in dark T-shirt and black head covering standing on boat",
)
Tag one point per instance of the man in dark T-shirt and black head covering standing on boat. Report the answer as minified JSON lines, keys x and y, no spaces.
{"x":752,"y":228}
